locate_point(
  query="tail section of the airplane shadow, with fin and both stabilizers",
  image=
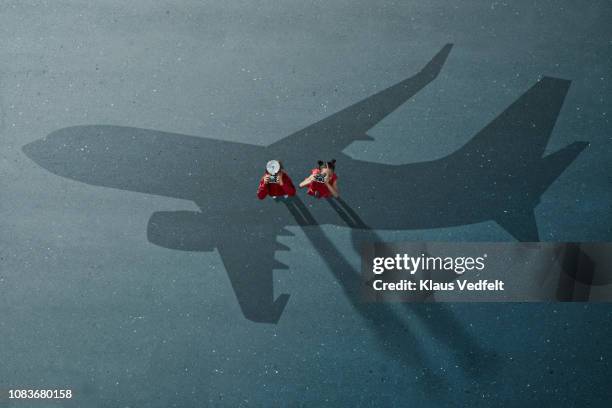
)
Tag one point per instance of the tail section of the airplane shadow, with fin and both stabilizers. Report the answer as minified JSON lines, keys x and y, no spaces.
{"x":508,"y":156}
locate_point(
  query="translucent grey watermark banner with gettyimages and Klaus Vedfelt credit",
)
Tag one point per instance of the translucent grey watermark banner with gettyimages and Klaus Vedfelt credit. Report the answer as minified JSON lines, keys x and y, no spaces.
{"x":486,"y":272}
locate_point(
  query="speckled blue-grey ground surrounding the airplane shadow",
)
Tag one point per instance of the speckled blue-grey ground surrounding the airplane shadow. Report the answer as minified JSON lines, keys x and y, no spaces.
{"x":89,"y":303}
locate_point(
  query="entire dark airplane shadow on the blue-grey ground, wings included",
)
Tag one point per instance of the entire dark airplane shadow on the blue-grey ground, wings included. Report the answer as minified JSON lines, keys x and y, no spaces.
{"x":498,"y":175}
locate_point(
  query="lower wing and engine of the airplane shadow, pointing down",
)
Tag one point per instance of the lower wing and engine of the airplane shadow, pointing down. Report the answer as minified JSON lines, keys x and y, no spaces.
{"x":247,"y":251}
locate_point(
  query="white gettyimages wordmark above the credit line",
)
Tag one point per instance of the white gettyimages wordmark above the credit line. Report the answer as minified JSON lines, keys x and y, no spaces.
{"x":413,"y":264}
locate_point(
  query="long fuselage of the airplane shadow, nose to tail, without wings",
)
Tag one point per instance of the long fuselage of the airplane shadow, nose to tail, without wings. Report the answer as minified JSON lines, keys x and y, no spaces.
{"x":492,"y":177}
